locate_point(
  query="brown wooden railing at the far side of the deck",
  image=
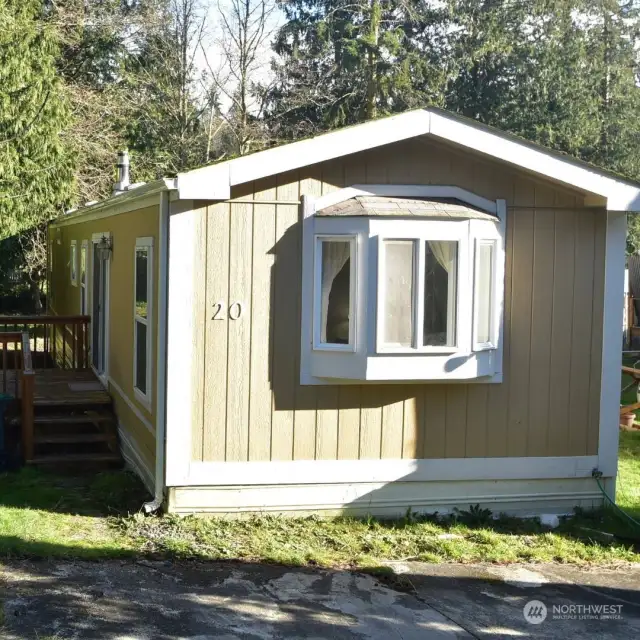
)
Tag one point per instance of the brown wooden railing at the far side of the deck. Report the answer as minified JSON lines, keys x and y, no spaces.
{"x":55,"y":341}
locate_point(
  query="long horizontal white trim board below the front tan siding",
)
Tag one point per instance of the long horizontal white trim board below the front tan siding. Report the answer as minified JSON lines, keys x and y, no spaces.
{"x":353,"y":471}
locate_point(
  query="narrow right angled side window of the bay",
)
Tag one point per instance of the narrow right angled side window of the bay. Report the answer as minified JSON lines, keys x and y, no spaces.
{"x":484,"y":294}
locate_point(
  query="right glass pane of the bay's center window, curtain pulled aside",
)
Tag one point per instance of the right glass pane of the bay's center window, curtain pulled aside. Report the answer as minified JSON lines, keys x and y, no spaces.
{"x":440,"y":293}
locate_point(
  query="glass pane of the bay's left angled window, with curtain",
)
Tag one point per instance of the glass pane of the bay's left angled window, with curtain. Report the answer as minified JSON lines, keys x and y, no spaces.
{"x":335,"y":291}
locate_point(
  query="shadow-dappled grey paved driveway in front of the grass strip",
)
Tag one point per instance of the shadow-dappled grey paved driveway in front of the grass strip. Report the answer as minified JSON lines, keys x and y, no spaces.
{"x":167,"y":600}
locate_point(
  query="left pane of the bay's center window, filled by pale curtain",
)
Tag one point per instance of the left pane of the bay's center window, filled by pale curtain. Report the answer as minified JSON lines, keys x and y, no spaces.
{"x":398,"y":292}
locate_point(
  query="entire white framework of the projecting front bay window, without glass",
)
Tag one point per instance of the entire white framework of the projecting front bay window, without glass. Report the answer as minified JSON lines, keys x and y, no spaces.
{"x":406,"y":365}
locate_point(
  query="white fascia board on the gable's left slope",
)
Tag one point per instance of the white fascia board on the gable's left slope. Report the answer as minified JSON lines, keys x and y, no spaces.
{"x":215,"y":182}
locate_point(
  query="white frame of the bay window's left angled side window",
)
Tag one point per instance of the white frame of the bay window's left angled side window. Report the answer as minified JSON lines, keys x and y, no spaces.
{"x":352,"y":239}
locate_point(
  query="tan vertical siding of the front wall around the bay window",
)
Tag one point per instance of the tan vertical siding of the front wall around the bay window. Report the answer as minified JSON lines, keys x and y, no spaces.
{"x":255,"y":408}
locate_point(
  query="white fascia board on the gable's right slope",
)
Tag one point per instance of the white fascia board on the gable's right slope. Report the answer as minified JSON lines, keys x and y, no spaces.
{"x":620,"y":196}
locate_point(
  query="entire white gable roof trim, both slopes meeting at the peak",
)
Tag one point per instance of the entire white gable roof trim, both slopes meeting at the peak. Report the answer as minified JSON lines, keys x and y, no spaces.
{"x":215,"y":182}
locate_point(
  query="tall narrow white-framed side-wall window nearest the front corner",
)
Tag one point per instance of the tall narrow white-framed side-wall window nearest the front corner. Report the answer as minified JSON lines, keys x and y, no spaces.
{"x":143,"y":265}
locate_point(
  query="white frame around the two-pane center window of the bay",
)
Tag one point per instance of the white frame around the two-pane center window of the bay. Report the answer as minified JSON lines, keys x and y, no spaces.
{"x":419,"y":233}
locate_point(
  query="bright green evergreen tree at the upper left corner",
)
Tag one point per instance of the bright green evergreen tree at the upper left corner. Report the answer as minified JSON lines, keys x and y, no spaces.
{"x":35,"y":166}
